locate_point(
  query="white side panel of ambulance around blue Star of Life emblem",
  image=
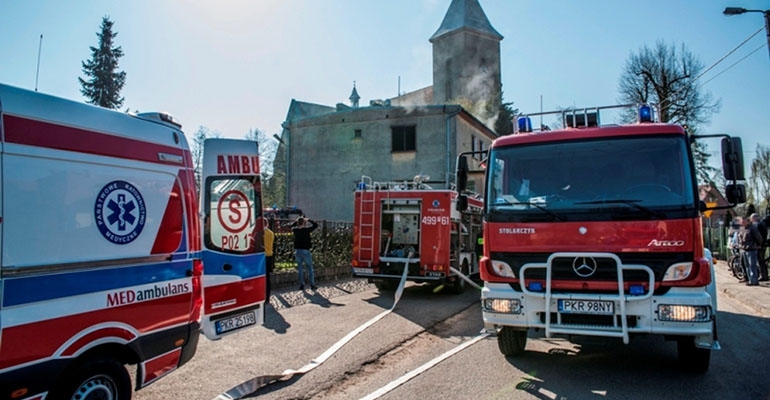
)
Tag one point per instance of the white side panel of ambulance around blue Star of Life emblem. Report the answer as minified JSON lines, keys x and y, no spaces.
{"x":54,"y":200}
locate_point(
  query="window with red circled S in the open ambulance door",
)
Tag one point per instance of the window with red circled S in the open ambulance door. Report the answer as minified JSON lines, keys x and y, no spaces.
{"x":233,"y":208}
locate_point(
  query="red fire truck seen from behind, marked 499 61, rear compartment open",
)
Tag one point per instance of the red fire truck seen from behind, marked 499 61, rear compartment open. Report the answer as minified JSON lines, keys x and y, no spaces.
{"x":409,"y":223}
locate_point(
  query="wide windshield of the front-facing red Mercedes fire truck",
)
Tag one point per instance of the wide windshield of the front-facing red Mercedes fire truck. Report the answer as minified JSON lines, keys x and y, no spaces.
{"x":619,"y":178}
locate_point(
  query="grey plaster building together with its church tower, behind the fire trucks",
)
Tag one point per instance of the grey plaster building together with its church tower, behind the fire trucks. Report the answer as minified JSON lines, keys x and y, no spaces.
{"x":325,"y":151}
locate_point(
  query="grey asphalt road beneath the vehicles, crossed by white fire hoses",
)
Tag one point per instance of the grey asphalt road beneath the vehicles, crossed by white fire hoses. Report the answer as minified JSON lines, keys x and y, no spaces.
{"x":425,"y":325}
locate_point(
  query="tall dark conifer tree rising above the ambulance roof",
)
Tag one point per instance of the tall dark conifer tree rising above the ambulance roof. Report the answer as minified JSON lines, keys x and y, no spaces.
{"x":103,"y":81}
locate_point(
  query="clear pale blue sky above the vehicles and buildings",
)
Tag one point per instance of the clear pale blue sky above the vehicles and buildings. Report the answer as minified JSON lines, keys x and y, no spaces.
{"x":235,"y":65}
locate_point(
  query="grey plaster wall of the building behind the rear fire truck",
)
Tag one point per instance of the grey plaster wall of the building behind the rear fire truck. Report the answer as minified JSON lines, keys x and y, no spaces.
{"x":327,"y":159}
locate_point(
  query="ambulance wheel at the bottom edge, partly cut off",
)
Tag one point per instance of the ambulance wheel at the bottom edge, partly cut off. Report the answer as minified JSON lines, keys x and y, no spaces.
{"x":95,"y":380}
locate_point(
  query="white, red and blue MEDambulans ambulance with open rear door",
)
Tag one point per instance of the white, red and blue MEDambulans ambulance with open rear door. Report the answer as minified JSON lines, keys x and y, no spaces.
{"x":105,"y":261}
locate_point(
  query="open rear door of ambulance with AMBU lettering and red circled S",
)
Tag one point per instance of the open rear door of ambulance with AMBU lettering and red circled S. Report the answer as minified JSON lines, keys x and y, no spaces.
{"x":233,"y":247}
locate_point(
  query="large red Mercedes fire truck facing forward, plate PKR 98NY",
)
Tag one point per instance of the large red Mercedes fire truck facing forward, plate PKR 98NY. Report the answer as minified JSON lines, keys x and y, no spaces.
{"x":596,"y":230}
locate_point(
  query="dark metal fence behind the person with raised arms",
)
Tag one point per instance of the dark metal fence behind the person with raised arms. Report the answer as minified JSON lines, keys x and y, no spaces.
{"x":332,"y":244}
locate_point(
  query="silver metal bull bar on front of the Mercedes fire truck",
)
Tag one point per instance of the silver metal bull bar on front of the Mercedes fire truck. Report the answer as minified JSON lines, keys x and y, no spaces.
{"x":620,"y":299}
